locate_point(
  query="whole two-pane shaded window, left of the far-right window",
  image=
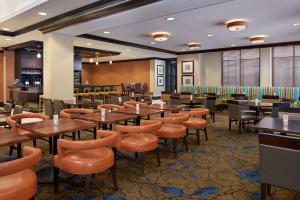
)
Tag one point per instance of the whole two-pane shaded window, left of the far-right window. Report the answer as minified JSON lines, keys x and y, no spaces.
{"x":241,"y":67}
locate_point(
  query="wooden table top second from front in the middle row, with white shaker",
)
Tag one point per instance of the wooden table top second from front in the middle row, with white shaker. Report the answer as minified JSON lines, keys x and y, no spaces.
{"x":110,"y":117}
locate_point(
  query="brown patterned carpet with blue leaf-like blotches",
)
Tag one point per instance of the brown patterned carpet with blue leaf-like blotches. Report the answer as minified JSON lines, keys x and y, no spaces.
{"x":223,"y":168}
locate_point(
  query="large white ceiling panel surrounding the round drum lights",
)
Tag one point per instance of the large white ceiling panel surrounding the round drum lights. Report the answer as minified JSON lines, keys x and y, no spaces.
{"x":195,"y":19}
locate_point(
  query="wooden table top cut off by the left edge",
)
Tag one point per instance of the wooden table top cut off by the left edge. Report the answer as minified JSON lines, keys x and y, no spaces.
{"x":9,"y":137}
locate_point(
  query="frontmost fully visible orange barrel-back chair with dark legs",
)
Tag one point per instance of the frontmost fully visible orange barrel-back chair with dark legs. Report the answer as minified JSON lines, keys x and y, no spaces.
{"x":86,"y":157}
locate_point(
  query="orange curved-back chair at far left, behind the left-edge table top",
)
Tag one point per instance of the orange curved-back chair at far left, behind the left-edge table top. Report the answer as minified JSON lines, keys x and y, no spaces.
{"x":15,"y":119}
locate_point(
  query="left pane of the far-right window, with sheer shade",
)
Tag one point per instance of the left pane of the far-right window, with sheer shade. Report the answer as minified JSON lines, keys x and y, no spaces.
{"x":283,"y":61}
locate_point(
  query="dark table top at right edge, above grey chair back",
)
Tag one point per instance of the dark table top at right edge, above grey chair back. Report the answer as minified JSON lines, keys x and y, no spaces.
{"x":271,"y":124}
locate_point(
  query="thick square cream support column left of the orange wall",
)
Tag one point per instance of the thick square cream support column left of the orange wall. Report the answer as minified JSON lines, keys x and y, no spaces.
{"x":58,"y":66}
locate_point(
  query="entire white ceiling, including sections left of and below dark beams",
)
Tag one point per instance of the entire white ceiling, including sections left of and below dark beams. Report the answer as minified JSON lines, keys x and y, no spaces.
{"x":194,"y":20}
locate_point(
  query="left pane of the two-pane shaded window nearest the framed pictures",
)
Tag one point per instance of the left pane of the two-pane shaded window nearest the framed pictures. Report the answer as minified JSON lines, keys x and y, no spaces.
{"x":231,"y":68}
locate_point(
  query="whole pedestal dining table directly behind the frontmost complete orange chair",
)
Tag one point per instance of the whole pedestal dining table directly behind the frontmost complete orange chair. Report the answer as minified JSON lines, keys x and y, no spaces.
{"x":48,"y":128}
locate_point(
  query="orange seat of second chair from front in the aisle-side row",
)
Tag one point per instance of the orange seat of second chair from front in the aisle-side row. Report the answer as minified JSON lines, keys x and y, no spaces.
{"x":139,"y":142}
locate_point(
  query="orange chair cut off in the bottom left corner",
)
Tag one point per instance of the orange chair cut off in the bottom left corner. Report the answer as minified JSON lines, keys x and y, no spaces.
{"x":17,"y":180}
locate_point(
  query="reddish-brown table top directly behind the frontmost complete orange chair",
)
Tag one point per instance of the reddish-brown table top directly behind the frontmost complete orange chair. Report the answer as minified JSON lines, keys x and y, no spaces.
{"x":47,"y":128}
